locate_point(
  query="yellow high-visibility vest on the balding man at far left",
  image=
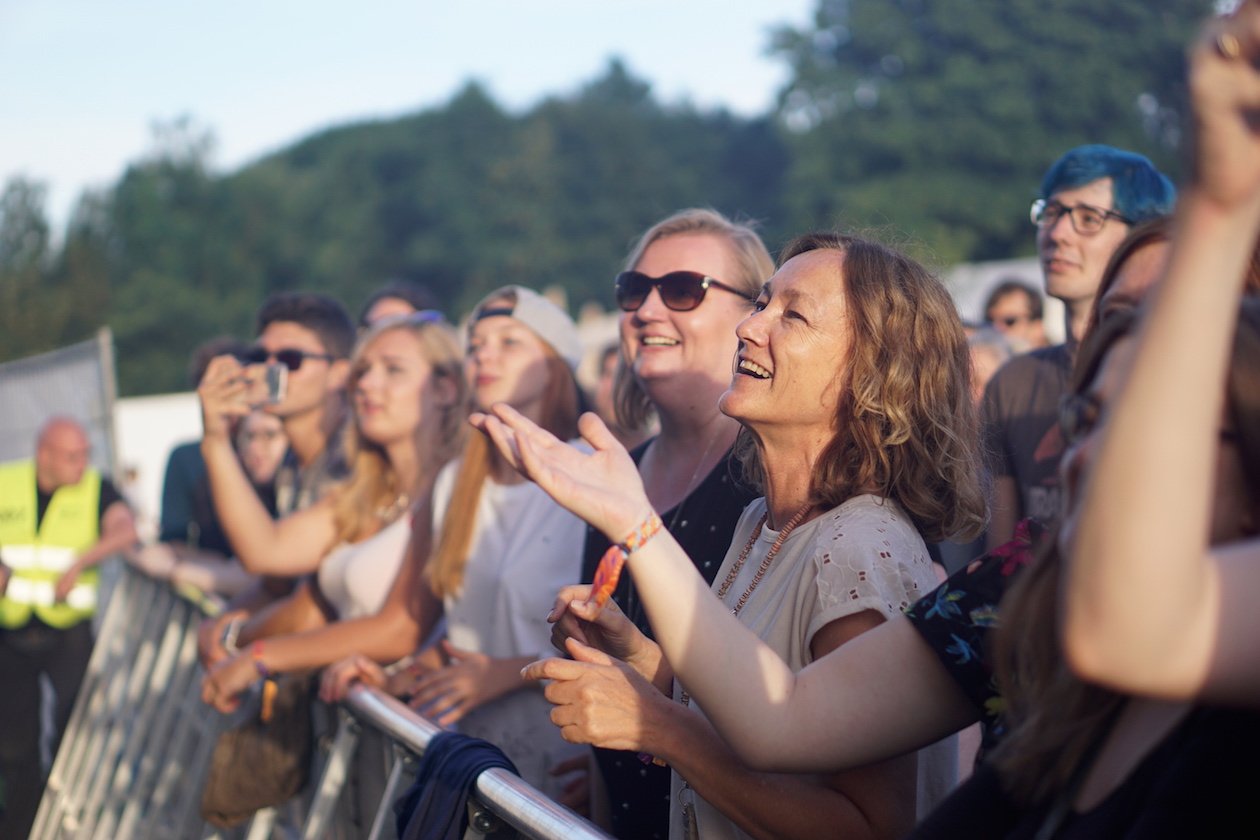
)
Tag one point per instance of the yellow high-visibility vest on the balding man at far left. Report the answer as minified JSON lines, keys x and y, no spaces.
{"x":40,"y":557}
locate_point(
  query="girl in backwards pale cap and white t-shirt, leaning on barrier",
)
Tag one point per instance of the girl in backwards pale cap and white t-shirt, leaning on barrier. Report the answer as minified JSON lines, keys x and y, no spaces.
{"x":502,"y":547}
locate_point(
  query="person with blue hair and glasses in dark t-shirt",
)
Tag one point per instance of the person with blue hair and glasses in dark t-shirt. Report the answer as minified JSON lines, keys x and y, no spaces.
{"x":1091,"y":198}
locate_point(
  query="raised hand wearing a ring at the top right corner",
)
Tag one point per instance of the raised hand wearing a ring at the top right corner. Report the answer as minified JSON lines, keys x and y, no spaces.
{"x":1225,"y":85}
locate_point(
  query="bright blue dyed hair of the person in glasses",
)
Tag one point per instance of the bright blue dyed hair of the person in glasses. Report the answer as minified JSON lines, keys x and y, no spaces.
{"x":1140,"y":191}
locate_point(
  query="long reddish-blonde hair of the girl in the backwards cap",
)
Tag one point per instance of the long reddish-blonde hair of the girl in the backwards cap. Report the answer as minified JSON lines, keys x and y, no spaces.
{"x":445,"y":569}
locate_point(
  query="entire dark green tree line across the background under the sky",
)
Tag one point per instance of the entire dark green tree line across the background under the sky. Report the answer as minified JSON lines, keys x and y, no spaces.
{"x":931,"y":122}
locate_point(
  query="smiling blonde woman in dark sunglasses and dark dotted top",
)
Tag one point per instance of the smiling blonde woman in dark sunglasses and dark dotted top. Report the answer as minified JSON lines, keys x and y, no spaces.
{"x":687,"y":284}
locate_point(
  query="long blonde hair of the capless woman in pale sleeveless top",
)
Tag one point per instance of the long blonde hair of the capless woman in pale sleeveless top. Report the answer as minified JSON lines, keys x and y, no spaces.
{"x":367,"y":499}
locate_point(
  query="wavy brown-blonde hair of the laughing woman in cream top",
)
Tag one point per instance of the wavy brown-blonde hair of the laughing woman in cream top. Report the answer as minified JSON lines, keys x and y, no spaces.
{"x":905,"y":426}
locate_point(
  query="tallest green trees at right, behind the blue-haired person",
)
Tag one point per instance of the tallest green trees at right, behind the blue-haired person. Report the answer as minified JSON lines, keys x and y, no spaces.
{"x":941,"y":116}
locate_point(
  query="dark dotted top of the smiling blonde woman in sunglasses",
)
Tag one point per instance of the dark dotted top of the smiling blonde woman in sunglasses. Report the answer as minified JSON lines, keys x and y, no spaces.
{"x":702,"y":525}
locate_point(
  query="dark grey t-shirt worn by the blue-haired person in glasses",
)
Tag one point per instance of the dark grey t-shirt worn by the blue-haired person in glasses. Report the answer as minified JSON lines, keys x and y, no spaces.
{"x":1021,"y":428}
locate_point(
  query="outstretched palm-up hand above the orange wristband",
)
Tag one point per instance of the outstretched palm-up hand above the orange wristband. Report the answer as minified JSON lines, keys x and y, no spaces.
{"x":603,"y":487}
